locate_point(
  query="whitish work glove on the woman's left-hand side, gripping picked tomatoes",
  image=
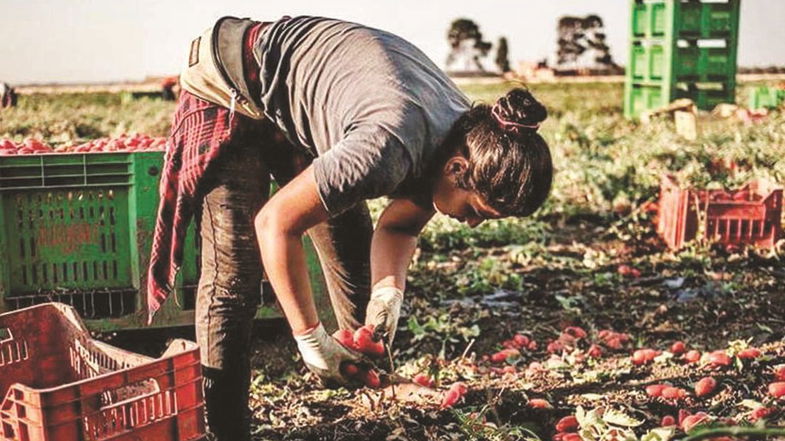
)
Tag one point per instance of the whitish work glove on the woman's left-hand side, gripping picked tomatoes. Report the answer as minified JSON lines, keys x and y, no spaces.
{"x":323,"y":355}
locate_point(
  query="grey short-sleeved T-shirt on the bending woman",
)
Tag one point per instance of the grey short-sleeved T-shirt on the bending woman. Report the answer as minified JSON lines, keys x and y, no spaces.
{"x":368,"y":105}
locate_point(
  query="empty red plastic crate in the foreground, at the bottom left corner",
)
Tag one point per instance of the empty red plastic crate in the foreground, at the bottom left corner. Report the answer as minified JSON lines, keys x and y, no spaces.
{"x":59,"y":384}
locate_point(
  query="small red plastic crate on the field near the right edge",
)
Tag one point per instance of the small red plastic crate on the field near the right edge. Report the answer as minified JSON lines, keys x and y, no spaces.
{"x":751,"y":215}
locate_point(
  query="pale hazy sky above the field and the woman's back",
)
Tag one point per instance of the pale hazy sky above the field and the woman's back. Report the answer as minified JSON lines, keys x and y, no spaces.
{"x":71,"y":41}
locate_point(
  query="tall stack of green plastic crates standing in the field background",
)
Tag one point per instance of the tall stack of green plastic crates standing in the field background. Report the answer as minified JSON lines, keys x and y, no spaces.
{"x":681,"y":49}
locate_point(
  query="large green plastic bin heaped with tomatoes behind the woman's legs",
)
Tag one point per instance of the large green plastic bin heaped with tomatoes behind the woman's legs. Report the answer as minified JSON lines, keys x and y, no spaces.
{"x":78,"y":229}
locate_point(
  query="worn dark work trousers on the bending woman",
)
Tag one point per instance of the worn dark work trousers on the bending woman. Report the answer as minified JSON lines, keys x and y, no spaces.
{"x":237,"y":186}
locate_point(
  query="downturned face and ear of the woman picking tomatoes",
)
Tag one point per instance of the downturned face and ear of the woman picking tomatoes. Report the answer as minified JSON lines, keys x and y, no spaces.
{"x":460,"y":204}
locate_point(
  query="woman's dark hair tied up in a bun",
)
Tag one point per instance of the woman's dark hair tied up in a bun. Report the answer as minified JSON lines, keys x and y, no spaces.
{"x":509,"y":162}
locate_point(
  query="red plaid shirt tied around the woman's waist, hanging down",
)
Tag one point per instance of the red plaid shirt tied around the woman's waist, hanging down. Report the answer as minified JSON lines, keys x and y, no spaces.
{"x":199,"y":131}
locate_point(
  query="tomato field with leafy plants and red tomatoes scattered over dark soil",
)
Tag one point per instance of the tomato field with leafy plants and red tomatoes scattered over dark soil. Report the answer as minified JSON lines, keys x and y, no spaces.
{"x":580,"y":310}
